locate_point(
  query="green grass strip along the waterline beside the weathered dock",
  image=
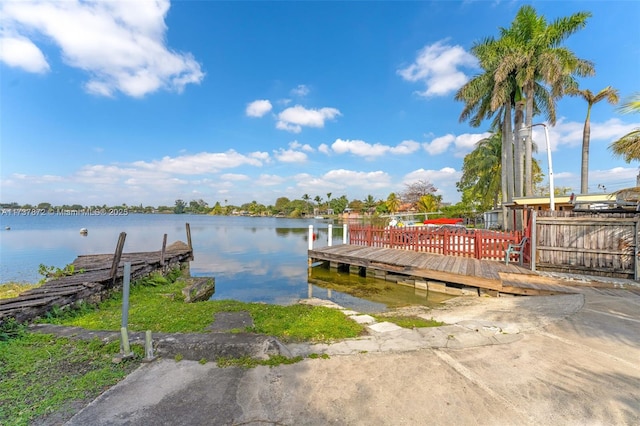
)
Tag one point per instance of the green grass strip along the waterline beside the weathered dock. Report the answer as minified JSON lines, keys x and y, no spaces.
{"x":160,"y":307}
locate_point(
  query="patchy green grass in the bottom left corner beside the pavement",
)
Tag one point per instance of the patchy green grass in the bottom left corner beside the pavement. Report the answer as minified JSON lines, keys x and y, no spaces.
{"x":43,"y":375}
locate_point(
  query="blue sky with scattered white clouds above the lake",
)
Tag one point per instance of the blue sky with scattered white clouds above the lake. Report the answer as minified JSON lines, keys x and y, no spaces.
{"x":150,"y":101}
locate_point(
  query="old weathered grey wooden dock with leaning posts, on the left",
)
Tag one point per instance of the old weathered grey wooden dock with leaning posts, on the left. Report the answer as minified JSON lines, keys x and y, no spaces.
{"x":95,"y":276}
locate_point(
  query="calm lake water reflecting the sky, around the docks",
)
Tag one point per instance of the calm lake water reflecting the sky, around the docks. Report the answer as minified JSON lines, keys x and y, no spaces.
{"x":253,"y":259}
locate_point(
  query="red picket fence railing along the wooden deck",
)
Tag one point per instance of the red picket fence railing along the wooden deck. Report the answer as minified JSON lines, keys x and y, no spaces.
{"x":451,"y":241}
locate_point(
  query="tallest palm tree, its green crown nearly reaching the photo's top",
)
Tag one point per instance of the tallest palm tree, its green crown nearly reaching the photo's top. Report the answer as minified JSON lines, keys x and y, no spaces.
{"x":540,"y":59}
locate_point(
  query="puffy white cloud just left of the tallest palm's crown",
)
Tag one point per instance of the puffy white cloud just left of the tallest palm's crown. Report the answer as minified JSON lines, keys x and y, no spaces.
{"x":437,"y":66}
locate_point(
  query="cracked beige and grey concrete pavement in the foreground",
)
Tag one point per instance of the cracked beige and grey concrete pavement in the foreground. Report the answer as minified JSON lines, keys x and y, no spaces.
{"x":552,"y":360}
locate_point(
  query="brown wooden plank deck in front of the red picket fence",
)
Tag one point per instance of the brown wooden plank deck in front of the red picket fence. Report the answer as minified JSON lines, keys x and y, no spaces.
{"x":493,"y":276}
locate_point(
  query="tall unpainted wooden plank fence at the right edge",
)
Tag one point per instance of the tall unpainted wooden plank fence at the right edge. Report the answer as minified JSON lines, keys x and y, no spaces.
{"x":604,"y":244}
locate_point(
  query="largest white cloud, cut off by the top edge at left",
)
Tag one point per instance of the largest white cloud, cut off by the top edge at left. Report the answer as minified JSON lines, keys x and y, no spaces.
{"x":121,"y":45}
